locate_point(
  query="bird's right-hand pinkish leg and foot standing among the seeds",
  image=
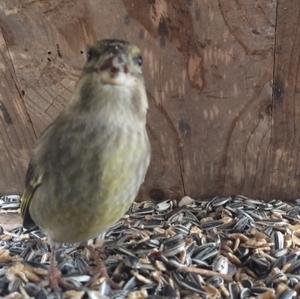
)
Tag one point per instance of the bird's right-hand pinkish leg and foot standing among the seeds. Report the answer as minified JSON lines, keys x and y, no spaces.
{"x":100,"y":269}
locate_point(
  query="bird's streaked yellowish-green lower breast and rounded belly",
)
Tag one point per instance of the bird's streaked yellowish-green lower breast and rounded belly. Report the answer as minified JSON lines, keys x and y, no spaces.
{"x":93,"y":184}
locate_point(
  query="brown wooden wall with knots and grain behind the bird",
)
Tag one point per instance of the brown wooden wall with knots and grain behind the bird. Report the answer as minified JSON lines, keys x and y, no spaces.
{"x":222,"y":80}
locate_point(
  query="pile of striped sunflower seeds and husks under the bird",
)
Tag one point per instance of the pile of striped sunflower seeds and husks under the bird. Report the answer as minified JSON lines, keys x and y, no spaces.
{"x":226,"y":247}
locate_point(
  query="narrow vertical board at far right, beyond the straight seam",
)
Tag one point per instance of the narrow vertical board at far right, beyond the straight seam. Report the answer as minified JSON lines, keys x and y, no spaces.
{"x":284,"y":164}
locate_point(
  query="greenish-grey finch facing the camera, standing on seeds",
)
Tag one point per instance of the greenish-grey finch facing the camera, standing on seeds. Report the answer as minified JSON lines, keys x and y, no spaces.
{"x":88,"y":165}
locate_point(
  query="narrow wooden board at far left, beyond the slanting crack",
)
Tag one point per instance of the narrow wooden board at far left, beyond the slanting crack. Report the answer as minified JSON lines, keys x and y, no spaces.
{"x":16,"y":130}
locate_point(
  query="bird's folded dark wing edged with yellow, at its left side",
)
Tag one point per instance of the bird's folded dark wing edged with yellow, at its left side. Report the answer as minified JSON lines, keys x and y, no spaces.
{"x":32,"y":181}
